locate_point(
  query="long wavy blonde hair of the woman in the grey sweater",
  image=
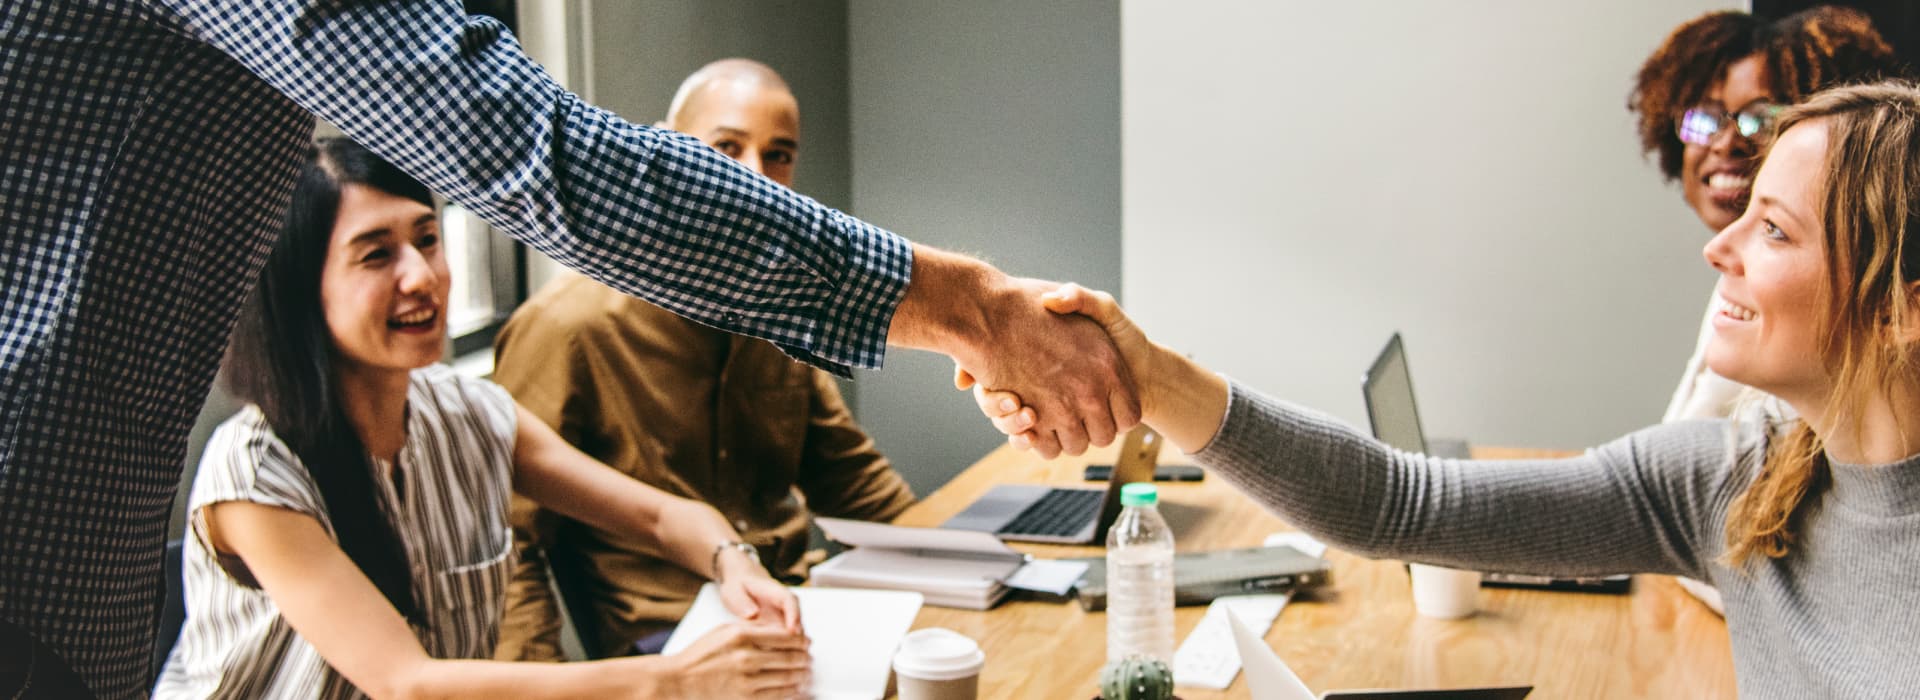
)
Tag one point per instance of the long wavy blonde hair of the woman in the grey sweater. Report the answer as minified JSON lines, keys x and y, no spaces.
{"x":1871,"y":210}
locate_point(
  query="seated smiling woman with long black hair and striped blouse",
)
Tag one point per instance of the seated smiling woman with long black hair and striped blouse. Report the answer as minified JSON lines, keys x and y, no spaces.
{"x":350,"y":526}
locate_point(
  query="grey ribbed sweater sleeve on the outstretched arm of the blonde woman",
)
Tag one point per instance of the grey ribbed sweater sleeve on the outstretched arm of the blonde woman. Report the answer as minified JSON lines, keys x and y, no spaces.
{"x":1646,"y":503}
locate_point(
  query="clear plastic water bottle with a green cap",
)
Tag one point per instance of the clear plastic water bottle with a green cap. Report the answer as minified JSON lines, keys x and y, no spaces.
{"x":1140,"y":578}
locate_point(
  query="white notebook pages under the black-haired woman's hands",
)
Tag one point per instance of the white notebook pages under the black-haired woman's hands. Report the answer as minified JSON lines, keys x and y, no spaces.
{"x":853,"y":636}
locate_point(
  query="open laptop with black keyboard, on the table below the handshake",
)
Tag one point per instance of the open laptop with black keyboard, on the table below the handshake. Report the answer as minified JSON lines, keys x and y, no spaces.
{"x":1059,"y":515}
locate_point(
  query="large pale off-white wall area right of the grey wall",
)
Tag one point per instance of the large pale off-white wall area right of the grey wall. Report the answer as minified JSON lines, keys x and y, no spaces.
{"x":1307,"y":177}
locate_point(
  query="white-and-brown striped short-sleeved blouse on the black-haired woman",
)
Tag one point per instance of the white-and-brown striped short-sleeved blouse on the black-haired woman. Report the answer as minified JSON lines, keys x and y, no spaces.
{"x":450,"y":515}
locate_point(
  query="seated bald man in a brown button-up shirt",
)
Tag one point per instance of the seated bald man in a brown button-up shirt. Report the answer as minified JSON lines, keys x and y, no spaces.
{"x":700,"y":413}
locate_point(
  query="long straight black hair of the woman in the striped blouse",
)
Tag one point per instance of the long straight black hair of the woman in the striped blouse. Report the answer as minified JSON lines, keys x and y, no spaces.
{"x":281,"y":360}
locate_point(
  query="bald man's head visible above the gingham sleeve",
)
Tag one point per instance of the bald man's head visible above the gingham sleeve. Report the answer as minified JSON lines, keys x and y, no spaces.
{"x":744,"y":110}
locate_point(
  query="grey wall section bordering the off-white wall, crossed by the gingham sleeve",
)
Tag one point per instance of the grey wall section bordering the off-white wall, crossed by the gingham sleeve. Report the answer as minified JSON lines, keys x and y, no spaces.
{"x":988,"y":128}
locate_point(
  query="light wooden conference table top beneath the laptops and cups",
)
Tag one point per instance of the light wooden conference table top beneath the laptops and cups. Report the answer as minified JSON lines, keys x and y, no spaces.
{"x":1360,"y":634}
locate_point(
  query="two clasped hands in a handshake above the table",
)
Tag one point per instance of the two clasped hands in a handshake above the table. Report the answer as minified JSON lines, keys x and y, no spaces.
{"x":1055,"y":367}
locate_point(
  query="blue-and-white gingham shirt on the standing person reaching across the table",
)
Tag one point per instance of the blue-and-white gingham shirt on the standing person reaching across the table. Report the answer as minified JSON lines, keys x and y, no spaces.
{"x":147,"y":154}
